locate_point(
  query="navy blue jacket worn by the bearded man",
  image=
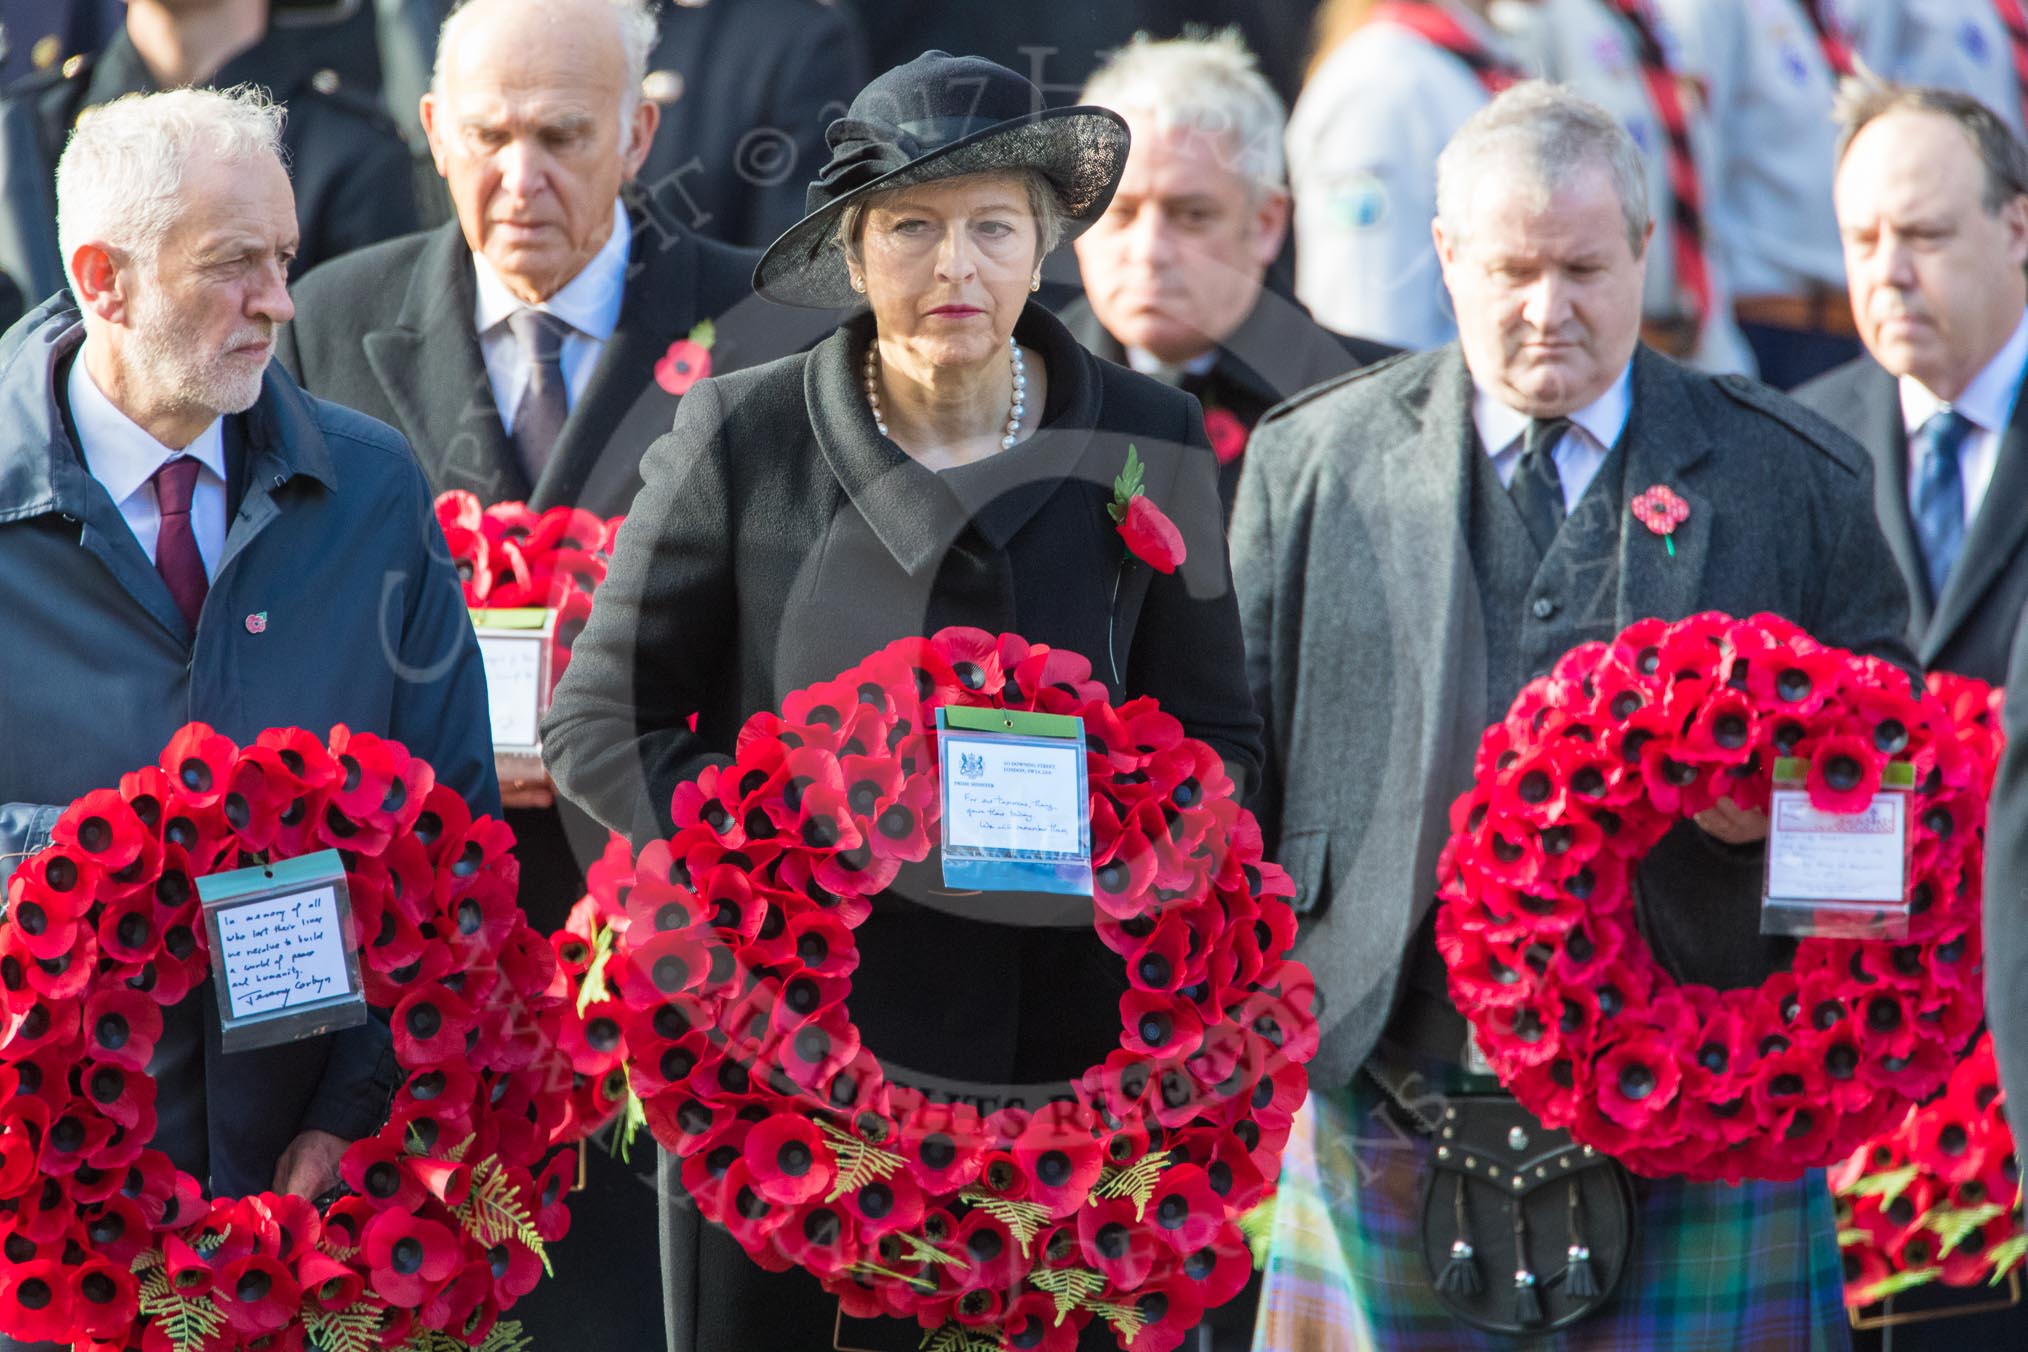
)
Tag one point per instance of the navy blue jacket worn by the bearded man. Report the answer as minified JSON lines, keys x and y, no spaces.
{"x":334,"y":540}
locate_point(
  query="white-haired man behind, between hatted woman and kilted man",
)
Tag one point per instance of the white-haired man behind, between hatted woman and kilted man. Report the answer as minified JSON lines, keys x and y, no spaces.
{"x":1175,"y":271}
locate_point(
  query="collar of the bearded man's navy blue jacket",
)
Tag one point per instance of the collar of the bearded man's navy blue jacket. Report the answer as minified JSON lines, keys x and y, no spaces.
{"x":42,"y":471}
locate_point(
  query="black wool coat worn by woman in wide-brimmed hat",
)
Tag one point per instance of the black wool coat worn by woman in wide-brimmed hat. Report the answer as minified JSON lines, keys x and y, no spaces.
{"x":780,"y":540}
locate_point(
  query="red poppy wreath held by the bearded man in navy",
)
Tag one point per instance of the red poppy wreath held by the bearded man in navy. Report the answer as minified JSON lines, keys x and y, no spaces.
{"x":104,"y":1244}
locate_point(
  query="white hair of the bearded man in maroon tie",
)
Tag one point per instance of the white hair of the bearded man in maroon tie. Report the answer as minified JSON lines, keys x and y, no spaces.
{"x":121,"y":177}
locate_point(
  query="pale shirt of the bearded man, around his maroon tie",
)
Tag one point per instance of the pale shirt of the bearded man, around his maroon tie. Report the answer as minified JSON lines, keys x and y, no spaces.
{"x":125,"y":459}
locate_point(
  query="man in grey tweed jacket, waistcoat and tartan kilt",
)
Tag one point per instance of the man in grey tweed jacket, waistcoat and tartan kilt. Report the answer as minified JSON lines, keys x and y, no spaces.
{"x":1413,"y":546}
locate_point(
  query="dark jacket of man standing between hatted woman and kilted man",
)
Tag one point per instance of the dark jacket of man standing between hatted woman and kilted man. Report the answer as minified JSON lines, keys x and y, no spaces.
{"x":1277,"y":354}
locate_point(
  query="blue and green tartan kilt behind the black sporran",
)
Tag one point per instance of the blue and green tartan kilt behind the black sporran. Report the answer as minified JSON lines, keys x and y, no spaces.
{"x":1717,"y":1268}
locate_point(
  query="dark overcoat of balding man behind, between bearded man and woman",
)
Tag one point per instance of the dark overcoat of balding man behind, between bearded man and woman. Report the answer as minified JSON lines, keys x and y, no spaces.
{"x":390,"y":333}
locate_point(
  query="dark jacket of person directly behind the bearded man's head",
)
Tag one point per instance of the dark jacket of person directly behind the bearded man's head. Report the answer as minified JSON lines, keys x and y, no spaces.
{"x":348,"y":163}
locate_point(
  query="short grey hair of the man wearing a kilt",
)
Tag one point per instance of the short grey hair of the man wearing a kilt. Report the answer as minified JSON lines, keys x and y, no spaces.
{"x":1550,"y":133}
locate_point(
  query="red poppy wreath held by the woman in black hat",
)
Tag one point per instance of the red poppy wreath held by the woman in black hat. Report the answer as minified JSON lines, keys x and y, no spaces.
{"x":729,"y":952}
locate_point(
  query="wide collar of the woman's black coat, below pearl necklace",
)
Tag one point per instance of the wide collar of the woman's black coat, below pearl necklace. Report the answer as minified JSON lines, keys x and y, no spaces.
{"x":912,"y":510}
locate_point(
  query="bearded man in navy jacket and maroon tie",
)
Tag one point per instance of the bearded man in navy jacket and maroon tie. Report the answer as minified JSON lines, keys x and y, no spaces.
{"x":186,"y":536}
